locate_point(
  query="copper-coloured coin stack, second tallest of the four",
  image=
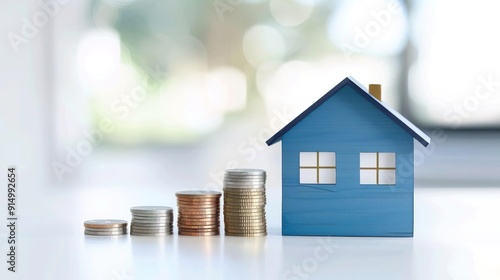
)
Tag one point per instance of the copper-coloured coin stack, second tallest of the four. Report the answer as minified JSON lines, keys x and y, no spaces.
{"x":198,"y":213}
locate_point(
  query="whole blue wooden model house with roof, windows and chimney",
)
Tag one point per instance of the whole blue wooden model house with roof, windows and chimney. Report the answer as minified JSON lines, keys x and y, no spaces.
{"x":347,"y":166}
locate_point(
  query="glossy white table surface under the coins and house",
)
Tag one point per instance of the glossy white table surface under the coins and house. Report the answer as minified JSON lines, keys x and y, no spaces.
{"x":457,"y":236}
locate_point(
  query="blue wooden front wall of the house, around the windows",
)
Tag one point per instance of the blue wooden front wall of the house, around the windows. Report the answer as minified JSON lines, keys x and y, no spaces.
{"x":347,"y":124}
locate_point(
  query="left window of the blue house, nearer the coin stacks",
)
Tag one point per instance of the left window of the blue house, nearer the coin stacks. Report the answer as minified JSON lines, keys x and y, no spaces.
{"x":324,"y":173}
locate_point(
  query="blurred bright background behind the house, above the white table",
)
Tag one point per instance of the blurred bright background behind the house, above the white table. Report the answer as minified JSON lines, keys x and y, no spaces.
{"x":148,"y":92}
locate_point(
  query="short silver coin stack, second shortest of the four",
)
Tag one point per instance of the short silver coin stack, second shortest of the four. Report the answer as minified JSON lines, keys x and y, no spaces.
{"x":152,"y":220}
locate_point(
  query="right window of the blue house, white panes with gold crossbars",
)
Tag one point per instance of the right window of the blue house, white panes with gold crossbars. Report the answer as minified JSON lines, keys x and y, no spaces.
{"x":385,"y":163}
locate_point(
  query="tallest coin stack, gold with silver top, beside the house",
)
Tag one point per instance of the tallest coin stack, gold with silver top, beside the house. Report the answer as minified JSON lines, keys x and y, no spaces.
{"x":245,"y":202}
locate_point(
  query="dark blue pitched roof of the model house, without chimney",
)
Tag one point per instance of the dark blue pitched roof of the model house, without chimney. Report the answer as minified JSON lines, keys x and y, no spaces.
{"x":388,"y":111}
